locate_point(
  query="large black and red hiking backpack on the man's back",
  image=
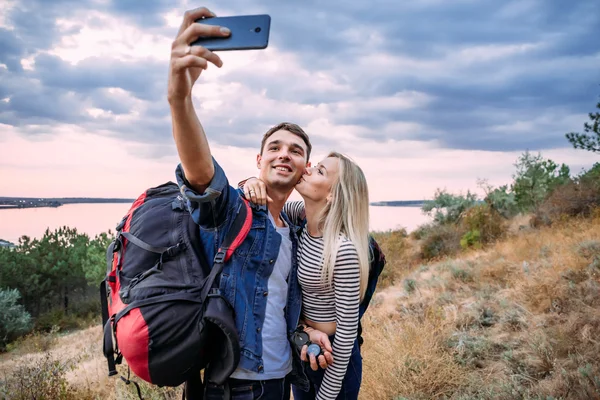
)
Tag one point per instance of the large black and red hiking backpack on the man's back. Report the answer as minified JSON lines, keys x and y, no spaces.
{"x":162,"y":309}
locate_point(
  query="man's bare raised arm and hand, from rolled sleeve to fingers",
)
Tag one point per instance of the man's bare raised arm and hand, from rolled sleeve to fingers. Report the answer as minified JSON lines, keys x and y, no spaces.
{"x":186,"y":64}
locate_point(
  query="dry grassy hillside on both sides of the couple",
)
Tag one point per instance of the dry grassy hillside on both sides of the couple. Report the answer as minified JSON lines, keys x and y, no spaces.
{"x":519,"y":319}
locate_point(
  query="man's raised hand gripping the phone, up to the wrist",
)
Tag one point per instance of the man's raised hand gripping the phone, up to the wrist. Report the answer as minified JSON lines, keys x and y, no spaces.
{"x":187,"y":61}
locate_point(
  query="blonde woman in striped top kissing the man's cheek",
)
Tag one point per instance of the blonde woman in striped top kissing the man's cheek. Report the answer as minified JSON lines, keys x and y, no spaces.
{"x":333,"y":266}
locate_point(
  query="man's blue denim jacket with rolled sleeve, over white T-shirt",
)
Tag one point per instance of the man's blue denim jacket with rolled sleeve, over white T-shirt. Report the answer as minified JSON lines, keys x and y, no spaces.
{"x":244,"y":278}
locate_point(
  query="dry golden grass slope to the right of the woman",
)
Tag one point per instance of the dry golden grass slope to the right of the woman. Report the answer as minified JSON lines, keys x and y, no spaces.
{"x":518,"y":320}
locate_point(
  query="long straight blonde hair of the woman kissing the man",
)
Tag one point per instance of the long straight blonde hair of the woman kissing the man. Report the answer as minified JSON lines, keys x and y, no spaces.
{"x":346,"y":214}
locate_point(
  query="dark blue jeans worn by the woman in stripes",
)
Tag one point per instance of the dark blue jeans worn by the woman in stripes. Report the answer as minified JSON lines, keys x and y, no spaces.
{"x":350,"y":384}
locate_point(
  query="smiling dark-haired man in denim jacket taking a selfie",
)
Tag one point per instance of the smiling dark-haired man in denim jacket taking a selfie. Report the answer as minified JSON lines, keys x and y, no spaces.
{"x":260,"y":281}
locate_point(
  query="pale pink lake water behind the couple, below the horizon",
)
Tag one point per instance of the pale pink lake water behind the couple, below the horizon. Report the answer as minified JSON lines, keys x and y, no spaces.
{"x":97,"y":218}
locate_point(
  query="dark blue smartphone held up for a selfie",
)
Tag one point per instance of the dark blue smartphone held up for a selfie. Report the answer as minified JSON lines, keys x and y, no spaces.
{"x":248,"y":32}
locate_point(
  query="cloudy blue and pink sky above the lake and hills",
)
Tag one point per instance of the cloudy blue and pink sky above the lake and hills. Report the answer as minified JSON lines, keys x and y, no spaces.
{"x":422,"y":95}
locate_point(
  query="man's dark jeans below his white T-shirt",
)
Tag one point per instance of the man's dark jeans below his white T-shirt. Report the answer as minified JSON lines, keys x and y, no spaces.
{"x":240,"y":389}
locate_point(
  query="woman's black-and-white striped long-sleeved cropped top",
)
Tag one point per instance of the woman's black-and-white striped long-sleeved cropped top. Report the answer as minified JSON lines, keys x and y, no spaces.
{"x":323,"y":303}
